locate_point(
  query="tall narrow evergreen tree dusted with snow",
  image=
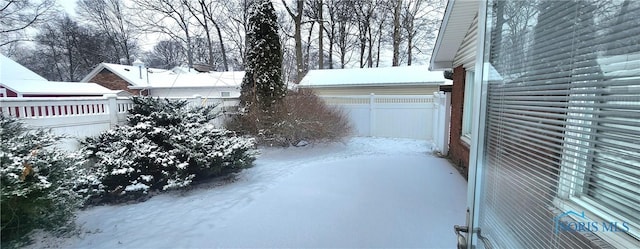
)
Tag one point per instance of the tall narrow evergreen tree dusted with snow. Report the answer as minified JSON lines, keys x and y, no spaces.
{"x":262,"y":86}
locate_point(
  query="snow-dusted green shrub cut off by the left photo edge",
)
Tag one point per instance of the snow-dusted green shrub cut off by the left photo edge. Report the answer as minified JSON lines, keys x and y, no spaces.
{"x":40,"y":184}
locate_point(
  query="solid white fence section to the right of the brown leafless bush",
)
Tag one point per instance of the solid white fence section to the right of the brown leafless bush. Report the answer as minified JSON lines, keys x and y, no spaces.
{"x":405,"y":116}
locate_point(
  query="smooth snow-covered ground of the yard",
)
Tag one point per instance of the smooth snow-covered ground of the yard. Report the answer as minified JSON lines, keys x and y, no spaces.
{"x":367,"y":192}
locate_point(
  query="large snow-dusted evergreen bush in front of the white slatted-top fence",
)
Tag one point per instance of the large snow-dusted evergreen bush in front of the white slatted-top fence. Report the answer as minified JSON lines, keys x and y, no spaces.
{"x":164,"y":145}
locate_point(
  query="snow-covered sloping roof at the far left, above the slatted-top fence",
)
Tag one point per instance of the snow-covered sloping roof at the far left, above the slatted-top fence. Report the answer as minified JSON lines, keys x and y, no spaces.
{"x":24,"y":81}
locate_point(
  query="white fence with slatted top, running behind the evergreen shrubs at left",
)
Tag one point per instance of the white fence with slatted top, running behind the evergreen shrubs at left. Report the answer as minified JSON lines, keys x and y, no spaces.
{"x":79,"y":117}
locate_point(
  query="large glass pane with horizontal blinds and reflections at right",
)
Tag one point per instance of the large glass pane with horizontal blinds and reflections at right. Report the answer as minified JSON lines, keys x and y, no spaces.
{"x":561,"y":164}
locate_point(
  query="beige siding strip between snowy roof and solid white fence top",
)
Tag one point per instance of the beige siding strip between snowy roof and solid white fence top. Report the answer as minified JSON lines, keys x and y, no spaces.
{"x":381,"y":90}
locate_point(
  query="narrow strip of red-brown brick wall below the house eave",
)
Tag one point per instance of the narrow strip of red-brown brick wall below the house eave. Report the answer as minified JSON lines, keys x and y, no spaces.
{"x":458,"y":150}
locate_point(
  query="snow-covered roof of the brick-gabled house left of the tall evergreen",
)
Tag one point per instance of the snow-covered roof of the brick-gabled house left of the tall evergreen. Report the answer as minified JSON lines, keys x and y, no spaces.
{"x":141,"y":77}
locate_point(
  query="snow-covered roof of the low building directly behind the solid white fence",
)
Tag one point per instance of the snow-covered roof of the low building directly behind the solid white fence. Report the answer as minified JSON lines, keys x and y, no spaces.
{"x":409,"y":75}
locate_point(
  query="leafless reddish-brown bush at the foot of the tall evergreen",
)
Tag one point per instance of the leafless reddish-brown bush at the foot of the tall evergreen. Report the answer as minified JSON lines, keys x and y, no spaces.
{"x":301,"y":118}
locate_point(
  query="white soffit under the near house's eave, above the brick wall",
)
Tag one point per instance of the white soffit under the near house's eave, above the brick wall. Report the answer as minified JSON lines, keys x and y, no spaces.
{"x":456,"y":22}
